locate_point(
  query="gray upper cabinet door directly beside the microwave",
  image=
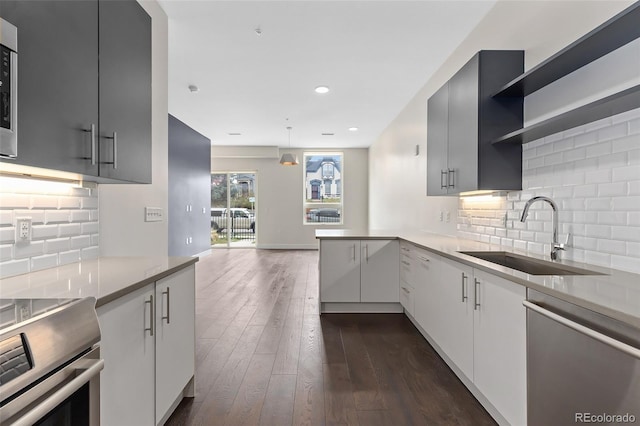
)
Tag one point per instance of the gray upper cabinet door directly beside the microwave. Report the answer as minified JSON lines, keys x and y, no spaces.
{"x":57,"y":82}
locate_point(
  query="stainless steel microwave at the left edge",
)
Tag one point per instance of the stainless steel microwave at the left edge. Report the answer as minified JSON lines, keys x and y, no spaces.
{"x":8,"y":90}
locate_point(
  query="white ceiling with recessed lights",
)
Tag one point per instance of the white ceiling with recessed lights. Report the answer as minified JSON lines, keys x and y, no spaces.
{"x":374,"y":56}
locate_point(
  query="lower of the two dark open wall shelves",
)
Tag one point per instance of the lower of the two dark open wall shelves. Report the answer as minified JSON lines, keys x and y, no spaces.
{"x":606,"y":107}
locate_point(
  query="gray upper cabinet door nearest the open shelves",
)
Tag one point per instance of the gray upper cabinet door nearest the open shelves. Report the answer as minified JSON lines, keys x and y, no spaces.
{"x":462,"y":151}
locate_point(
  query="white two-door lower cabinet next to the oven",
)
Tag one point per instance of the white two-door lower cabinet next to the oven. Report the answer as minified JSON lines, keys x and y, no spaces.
{"x":148,"y":345}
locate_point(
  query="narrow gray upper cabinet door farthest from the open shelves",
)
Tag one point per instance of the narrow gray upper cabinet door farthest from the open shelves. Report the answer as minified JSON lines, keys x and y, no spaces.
{"x":437,"y":140}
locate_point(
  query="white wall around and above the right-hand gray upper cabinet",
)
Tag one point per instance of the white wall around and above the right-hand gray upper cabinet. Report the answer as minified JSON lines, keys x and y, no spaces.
{"x":540,"y":28}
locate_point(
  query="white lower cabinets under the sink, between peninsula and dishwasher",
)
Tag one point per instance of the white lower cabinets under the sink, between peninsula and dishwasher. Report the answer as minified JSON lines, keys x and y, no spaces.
{"x":478,"y":322}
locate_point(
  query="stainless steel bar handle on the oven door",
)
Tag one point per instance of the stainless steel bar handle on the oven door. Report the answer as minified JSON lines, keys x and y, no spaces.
{"x":91,"y":367}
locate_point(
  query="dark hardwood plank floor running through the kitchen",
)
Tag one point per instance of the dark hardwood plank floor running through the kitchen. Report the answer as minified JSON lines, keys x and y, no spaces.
{"x":264,"y":356}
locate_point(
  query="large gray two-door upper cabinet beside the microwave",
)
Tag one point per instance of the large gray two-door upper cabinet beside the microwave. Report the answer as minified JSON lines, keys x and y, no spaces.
{"x":84,"y":76}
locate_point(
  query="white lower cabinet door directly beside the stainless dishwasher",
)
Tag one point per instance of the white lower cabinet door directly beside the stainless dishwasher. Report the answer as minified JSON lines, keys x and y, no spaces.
{"x":499,"y":345}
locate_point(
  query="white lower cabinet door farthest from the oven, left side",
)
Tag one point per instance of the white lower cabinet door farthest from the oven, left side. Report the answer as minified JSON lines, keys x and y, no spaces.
{"x":175,"y":338}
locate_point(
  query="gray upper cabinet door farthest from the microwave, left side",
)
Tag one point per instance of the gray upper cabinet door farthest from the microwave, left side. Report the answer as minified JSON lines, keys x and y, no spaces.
{"x":125,"y":91}
